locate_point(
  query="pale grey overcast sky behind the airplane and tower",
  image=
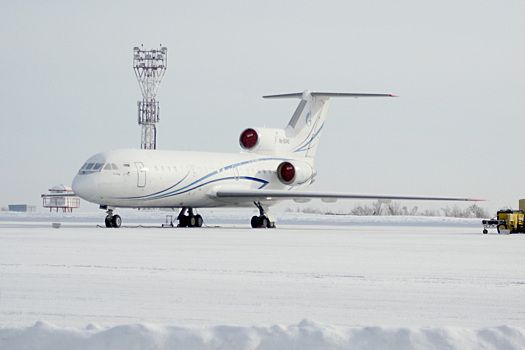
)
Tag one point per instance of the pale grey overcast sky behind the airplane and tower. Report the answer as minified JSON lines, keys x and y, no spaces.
{"x":68,"y":89}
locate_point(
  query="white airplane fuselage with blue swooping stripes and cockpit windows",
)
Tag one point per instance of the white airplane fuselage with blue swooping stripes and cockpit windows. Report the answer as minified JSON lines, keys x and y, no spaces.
{"x":175,"y":179}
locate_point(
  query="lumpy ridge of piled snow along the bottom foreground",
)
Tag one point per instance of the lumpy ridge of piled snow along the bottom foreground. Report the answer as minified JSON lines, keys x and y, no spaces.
{"x":306,"y":335}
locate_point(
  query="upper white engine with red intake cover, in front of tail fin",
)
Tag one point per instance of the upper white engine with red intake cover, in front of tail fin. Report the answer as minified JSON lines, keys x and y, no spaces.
{"x":264,"y":141}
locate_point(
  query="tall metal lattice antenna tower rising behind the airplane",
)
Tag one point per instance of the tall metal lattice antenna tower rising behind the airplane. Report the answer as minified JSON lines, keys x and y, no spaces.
{"x":149,"y":66}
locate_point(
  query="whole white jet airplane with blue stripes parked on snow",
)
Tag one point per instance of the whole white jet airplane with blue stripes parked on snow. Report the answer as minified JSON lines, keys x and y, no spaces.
{"x":273,"y":166}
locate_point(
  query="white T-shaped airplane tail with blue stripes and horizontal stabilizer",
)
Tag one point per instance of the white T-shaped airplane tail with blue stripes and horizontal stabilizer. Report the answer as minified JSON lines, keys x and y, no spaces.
{"x":305,"y":127}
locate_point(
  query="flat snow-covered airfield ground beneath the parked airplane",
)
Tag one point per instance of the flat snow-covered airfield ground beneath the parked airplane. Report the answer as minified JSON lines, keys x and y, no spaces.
{"x":315,"y":282}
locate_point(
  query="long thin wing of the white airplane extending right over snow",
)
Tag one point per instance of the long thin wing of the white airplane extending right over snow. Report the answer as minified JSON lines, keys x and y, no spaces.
{"x":300,"y":196}
